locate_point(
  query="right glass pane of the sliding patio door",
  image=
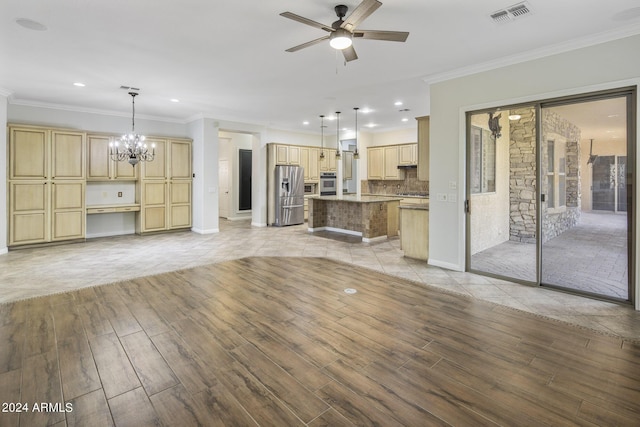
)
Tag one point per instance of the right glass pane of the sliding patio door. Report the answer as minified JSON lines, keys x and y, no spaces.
{"x":585,"y":237}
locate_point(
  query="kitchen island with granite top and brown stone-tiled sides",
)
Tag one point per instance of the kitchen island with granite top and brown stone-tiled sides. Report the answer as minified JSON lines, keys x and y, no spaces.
{"x":371,"y":217}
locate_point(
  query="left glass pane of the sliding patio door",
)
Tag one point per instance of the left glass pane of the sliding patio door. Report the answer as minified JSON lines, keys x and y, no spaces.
{"x":502,"y":219}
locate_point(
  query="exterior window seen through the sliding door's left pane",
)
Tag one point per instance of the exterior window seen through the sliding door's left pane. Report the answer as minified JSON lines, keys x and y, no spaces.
{"x":483,"y":161}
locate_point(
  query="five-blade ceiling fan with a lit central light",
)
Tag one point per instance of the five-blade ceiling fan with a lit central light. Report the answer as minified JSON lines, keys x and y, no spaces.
{"x":342,"y":31}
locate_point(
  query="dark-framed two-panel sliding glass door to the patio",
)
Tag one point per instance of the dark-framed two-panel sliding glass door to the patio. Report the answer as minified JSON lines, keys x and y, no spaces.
{"x":573,"y":231}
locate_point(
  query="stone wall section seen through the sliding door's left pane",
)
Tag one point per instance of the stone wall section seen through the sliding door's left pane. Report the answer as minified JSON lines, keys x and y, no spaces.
{"x":522,"y":177}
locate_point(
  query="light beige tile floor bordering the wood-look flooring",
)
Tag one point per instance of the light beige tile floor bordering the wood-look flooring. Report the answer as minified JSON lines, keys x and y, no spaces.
{"x":40,"y":271}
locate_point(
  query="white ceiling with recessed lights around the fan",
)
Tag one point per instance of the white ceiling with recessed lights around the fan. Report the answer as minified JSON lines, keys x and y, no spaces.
{"x":227,"y":59}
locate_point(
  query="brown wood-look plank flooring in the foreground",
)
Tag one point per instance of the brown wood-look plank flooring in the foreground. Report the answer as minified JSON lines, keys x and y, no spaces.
{"x":277,"y":342}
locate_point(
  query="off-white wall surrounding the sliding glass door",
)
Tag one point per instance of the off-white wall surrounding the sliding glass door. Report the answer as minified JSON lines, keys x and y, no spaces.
{"x":579,"y":71}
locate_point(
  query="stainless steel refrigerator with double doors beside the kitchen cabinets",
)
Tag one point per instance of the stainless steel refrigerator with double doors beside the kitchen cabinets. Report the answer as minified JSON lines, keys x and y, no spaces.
{"x":289,"y":195}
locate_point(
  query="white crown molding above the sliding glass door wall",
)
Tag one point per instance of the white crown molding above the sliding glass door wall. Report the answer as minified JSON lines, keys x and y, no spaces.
{"x":574,"y":44}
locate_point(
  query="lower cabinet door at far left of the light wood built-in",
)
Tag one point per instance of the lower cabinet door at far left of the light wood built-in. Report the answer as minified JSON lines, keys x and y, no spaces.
{"x":29,"y":222}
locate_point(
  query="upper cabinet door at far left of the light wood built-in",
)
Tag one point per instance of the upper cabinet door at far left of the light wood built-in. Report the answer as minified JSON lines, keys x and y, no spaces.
{"x":28,"y":153}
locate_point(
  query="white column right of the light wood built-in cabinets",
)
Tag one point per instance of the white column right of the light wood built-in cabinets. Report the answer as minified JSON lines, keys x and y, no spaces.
{"x":204,"y":133}
